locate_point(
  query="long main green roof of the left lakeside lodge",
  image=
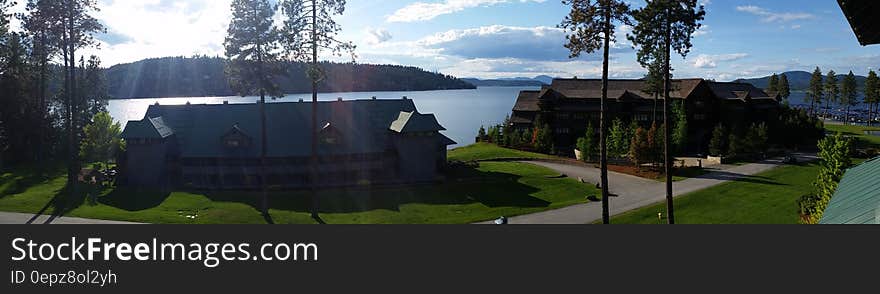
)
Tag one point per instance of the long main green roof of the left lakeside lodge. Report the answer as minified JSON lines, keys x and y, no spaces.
{"x":363,"y":123}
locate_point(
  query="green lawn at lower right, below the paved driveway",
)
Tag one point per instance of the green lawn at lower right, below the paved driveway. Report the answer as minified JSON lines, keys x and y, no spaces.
{"x":767,"y":198}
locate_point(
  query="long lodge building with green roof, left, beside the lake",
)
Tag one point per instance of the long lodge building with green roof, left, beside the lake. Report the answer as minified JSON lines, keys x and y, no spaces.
{"x":375,"y":141}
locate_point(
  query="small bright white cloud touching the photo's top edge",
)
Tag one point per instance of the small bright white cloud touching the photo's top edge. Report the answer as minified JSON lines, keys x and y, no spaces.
{"x":422,"y":11}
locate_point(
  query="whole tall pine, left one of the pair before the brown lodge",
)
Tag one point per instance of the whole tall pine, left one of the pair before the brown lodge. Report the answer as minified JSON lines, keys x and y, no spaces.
{"x":590,"y":26}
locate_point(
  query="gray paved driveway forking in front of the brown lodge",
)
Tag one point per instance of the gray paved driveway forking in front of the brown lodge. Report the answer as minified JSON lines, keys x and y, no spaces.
{"x":630,"y":192}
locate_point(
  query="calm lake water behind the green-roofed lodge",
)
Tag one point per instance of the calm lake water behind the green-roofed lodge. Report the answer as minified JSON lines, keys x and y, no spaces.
{"x":462,"y":112}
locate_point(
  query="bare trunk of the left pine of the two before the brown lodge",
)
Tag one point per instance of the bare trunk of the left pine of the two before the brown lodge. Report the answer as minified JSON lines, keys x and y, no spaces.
{"x":603,"y":124}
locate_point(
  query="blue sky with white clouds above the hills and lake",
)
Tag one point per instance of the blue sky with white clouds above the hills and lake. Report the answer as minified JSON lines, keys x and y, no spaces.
{"x":511,"y":38}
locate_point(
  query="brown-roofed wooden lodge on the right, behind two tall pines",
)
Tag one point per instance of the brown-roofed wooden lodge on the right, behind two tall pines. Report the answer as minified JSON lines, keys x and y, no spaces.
{"x":567,"y":105}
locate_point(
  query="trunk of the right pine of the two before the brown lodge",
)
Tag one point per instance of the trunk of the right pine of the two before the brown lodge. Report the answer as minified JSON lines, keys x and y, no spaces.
{"x":667,"y":158}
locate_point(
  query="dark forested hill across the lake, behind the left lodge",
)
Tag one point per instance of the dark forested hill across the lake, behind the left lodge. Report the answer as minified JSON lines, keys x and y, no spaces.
{"x":204,"y":76}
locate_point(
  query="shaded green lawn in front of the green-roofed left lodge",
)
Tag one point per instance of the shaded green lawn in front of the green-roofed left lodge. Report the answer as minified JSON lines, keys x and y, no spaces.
{"x":492,"y":190}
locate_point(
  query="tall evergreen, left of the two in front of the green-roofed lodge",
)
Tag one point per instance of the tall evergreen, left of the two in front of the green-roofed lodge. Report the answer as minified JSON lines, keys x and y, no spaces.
{"x":251,"y":46}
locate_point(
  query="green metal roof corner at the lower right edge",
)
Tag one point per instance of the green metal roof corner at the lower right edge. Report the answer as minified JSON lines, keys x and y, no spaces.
{"x":857,"y":200}
